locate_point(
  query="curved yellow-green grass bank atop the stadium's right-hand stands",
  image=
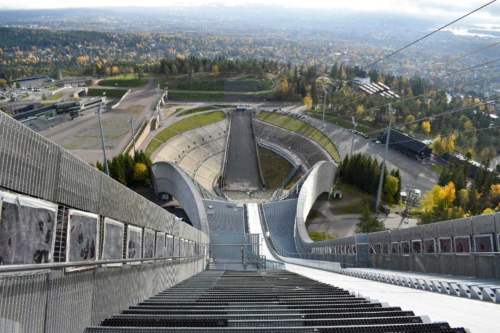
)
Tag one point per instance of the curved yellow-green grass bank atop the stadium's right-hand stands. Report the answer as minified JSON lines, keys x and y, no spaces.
{"x":296,"y":125}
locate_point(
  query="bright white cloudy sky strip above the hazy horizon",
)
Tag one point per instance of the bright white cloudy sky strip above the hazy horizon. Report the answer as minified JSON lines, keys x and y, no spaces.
{"x":420,"y":9}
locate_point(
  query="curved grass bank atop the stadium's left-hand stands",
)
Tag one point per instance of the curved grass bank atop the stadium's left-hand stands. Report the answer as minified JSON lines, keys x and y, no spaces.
{"x":183,"y":125}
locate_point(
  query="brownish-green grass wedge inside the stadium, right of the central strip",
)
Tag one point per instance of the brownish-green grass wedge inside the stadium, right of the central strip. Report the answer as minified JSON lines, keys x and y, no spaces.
{"x":275,"y":168}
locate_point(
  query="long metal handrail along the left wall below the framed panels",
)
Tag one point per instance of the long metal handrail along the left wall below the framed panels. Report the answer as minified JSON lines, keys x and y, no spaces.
{"x":59,"y":265}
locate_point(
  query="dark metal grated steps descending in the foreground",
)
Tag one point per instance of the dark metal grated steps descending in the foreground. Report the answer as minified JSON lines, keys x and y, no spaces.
{"x":270,"y":301}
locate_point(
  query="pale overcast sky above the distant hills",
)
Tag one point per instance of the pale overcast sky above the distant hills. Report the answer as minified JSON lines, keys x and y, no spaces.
{"x":434,"y":8}
